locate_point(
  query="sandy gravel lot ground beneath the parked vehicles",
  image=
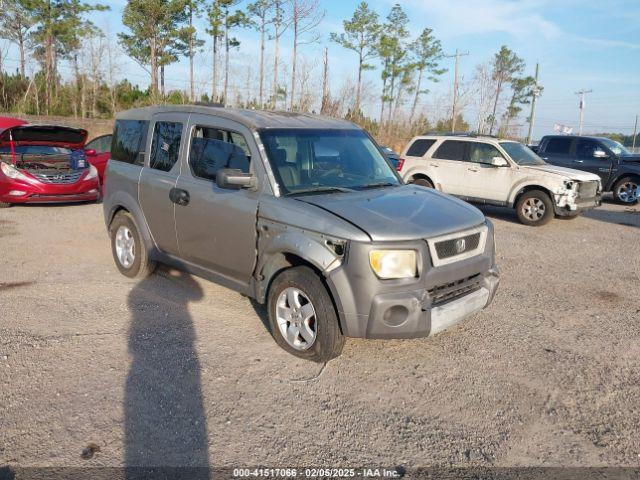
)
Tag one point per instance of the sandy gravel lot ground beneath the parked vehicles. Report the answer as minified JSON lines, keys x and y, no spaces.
{"x":175,"y":370}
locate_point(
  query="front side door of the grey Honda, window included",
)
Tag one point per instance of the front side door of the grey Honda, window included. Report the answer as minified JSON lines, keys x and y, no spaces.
{"x":217,"y":228}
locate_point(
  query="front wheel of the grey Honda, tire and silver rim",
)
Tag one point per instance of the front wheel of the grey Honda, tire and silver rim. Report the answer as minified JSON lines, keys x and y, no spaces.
{"x":302,"y":318}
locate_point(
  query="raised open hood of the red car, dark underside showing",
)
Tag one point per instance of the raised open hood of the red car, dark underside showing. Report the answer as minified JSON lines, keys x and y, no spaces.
{"x":51,"y":135}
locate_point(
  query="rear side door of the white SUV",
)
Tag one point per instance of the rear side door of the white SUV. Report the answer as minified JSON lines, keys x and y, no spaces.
{"x":449,"y":164}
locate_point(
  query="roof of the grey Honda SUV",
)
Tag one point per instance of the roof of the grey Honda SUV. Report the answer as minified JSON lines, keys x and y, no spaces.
{"x":254,"y":119}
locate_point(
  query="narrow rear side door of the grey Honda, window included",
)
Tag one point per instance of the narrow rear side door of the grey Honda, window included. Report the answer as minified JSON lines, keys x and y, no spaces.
{"x":159,"y":177}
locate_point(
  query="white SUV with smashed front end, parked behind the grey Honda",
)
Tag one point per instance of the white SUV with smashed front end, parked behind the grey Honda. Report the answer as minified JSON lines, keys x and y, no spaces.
{"x":499,"y":172}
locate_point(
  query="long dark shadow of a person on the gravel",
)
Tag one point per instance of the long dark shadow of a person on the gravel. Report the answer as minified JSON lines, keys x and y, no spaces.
{"x":165,"y":421}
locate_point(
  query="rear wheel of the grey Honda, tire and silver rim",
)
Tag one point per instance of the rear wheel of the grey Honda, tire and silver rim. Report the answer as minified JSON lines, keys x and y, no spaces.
{"x":128,"y":248}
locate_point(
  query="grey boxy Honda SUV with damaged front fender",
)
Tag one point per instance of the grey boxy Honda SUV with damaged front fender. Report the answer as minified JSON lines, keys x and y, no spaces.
{"x":300,"y":212}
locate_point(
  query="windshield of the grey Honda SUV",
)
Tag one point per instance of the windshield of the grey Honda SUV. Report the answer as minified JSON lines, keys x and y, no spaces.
{"x":305,"y":160}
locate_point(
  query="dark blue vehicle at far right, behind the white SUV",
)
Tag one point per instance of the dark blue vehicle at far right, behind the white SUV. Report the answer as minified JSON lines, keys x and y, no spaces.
{"x":617,"y":166}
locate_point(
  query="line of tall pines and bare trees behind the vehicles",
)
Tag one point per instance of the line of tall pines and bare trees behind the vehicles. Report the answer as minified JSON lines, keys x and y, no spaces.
{"x":53,"y":36}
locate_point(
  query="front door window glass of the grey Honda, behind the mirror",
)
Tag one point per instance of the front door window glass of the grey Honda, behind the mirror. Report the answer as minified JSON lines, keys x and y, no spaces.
{"x":213,"y":149}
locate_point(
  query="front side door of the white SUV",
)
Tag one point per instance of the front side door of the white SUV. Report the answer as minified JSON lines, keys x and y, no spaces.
{"x":485,"y":181}
